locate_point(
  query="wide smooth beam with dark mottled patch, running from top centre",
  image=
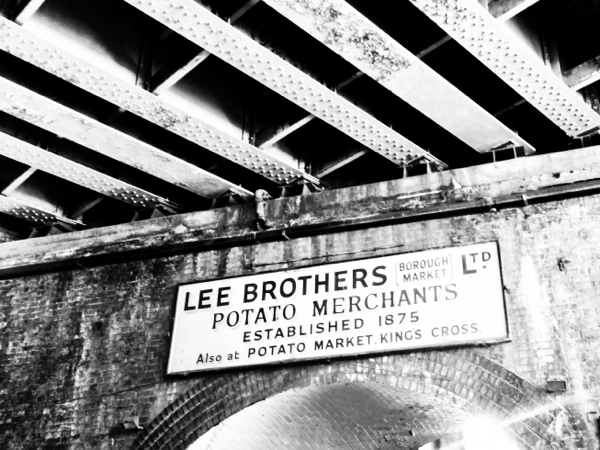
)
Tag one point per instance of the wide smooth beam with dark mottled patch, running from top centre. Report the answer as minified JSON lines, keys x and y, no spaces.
{"x":359,"y":41}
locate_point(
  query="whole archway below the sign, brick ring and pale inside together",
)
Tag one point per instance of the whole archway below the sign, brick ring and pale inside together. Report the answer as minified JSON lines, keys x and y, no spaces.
{"x":398,"y":401}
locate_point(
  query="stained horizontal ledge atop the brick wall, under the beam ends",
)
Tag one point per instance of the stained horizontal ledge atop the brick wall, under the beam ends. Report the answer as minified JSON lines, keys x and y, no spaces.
{"x":457,"y":192}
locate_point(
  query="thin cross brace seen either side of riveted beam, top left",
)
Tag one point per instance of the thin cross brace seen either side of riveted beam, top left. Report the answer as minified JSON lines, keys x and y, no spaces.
{"x":178,"y":68}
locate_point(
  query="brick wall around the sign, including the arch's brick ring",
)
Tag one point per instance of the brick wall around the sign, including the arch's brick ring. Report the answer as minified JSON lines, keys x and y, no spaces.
{"x":84,"y":350}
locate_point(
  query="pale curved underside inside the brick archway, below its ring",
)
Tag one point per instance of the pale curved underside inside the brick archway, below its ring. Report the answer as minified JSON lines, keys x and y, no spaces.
{"x":337,"y":416}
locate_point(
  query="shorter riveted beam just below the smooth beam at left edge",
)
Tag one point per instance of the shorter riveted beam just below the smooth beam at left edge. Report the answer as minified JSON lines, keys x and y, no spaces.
{"x":76,"y":173}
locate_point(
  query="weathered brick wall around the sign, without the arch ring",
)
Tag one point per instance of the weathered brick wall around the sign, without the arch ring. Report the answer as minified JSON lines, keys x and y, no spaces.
{"x":85,"y":348}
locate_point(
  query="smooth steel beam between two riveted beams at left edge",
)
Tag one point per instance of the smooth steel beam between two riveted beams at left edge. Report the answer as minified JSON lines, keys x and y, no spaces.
{"x":51,"y":116}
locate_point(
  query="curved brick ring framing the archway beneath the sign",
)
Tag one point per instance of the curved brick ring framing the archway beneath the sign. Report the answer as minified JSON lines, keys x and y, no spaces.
{"x":468,"y":380}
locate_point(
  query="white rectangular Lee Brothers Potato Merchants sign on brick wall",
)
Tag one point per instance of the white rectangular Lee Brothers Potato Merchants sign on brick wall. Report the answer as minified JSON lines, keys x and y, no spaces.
{"x":425,"y":299}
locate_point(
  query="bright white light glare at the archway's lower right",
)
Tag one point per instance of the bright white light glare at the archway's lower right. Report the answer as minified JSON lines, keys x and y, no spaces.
{"x":486,"y":434}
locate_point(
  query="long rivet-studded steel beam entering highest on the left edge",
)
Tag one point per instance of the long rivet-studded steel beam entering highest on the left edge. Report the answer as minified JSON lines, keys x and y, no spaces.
{"x":28,"y":47}
